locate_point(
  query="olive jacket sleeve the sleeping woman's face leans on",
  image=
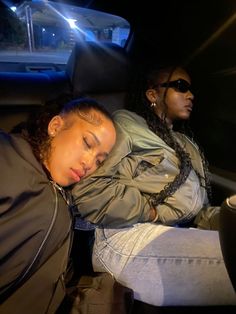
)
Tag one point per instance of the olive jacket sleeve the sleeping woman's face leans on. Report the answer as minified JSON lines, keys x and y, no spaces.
{"x":103,"y":199}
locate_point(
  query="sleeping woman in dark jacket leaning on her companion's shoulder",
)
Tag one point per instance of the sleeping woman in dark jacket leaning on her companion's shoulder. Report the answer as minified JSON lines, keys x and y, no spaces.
{"x":58,"y":148}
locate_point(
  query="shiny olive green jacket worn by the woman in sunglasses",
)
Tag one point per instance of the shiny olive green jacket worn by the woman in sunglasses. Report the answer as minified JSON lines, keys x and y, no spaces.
{"x":140,"y":164}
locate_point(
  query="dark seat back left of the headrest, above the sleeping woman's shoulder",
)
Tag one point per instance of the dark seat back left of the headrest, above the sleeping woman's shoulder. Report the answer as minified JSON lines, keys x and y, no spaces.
{"x":24,"y":92}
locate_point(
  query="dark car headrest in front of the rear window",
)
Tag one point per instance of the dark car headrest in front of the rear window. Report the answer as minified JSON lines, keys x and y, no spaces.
{"x":98,"y":68}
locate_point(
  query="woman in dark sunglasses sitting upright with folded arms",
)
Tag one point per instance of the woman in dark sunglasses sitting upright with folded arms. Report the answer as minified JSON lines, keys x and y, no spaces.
{"x":154,"y":181}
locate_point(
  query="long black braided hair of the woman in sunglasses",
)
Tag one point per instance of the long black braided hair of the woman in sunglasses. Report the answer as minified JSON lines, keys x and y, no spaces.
{"x":138,"y":102}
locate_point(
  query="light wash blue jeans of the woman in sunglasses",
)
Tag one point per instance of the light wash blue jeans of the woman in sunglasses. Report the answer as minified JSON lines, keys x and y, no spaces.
{"x":165,"y":266}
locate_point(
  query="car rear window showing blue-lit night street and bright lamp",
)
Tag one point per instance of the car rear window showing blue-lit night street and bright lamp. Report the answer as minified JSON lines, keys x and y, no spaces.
{"x":45,"y":31}
